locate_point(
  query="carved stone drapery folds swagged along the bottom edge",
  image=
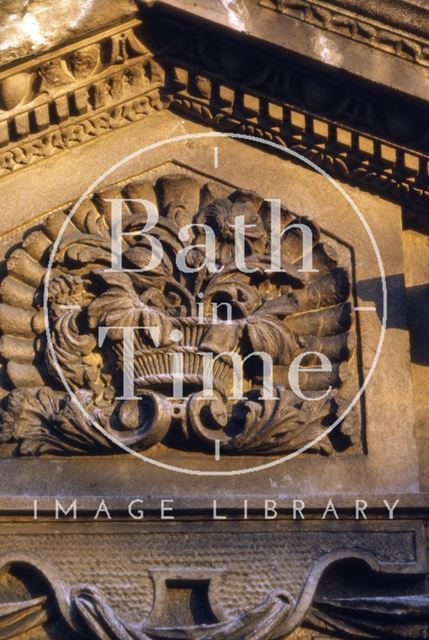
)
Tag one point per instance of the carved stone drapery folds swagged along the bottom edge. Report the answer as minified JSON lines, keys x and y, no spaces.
{"x":376,"y":617}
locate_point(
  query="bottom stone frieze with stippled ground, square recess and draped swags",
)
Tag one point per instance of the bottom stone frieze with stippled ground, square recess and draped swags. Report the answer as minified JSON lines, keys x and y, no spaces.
{"x":122,"y":597}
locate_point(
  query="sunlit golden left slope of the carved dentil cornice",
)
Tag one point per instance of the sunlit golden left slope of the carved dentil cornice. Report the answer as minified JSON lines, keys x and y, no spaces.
{"x":75,"y":94}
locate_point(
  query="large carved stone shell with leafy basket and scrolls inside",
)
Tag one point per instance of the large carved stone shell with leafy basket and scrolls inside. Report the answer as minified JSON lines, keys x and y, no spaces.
{"x":282,"y":313}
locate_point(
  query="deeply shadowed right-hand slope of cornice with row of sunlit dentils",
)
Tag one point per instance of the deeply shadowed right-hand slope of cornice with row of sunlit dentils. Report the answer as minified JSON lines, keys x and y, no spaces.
{"x":343,"y":127}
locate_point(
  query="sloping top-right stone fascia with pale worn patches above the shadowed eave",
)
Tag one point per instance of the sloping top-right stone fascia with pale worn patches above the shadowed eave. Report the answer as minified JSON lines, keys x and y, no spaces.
{"x":322,"y":33}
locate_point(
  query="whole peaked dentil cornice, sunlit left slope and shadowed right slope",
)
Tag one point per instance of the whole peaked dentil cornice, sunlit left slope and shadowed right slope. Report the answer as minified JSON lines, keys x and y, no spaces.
{"x":108,"y":80}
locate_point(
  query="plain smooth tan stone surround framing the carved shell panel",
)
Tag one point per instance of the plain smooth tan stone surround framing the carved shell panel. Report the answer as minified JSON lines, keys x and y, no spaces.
{"x":391,"y":461}
